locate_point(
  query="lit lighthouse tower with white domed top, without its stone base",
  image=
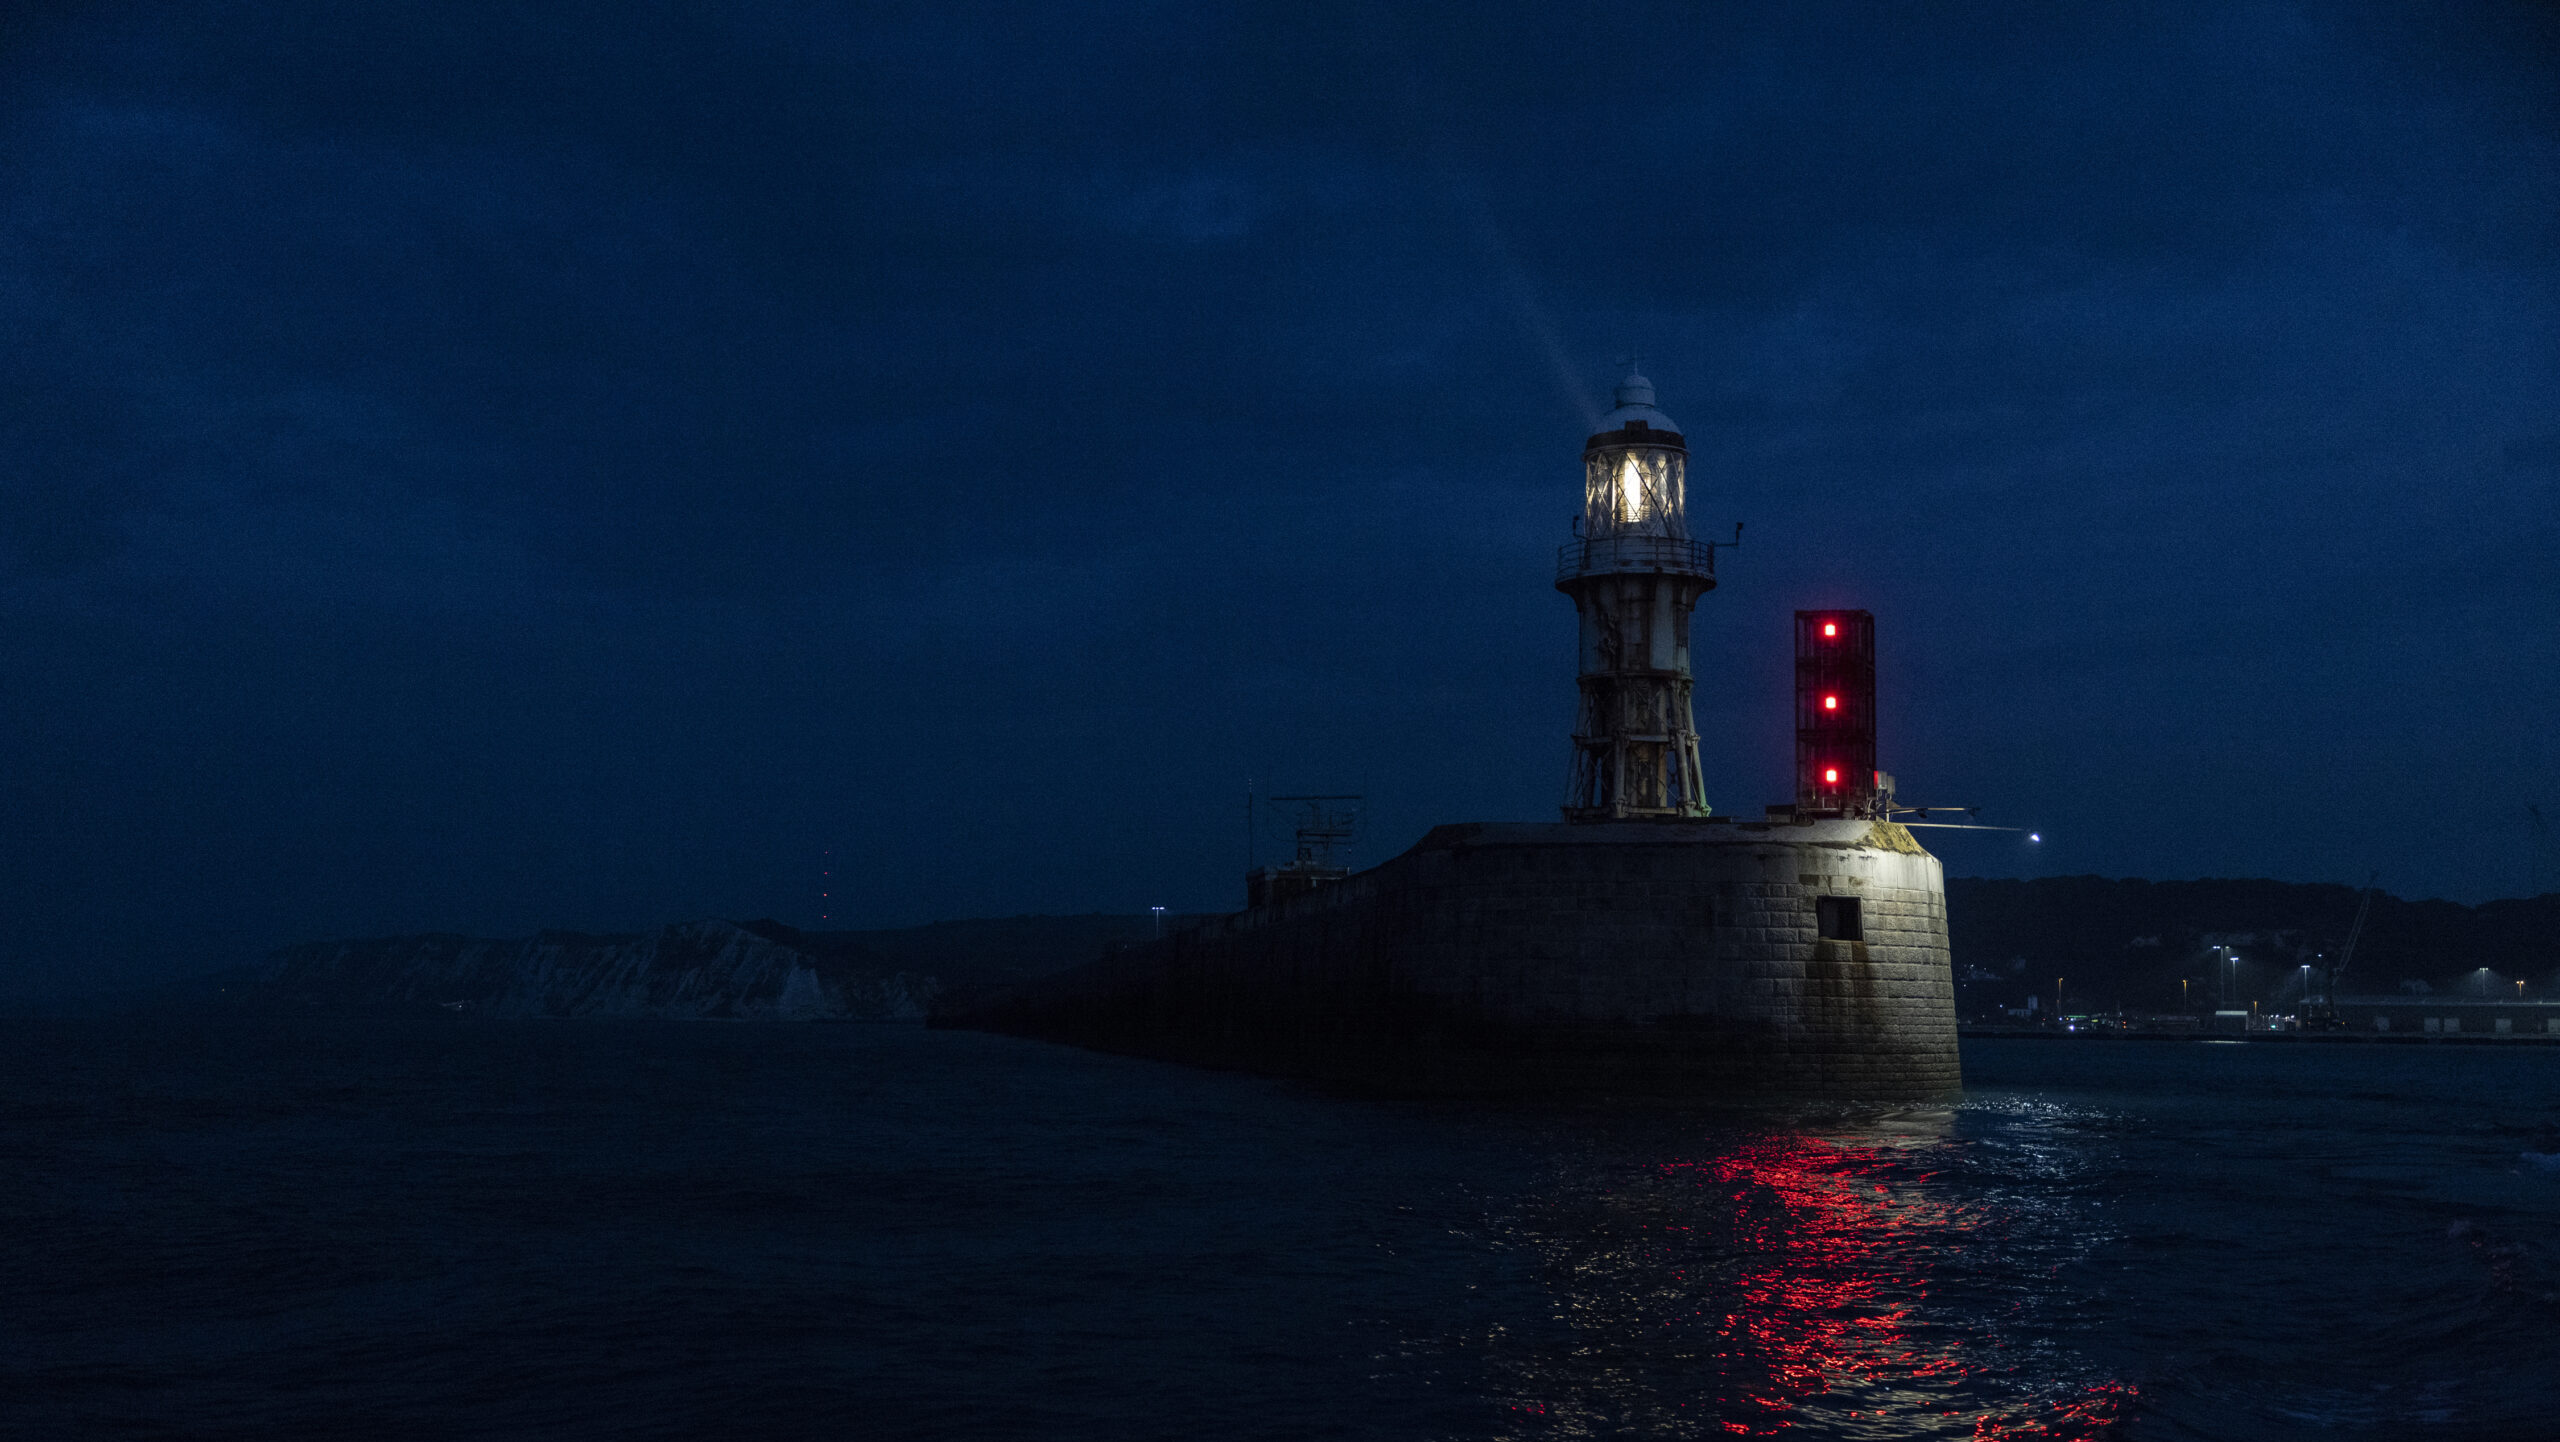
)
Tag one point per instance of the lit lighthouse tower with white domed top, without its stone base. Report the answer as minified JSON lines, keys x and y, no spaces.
{"x":1635,"y":578}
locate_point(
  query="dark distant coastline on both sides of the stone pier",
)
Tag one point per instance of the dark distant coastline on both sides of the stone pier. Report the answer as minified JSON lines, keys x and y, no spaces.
{"x":2113,"y":944}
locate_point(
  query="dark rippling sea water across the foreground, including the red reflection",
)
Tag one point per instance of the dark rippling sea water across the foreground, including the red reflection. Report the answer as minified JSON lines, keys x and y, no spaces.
{"x":820,"y":1231}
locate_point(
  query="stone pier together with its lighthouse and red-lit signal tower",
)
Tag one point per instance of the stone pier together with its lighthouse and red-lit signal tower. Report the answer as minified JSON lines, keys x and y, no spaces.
{"x":1635,"y":949}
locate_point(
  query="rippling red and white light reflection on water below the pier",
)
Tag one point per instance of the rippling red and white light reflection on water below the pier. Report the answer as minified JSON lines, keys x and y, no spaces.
{"x":1798,"y":1287}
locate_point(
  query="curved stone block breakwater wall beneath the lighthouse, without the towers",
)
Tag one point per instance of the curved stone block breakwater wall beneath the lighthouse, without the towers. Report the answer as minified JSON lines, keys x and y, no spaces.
{"x":1696,"y":962}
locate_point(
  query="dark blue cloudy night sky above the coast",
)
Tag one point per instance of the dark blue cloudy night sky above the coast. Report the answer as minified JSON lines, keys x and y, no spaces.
{"x":575,"y":465}
